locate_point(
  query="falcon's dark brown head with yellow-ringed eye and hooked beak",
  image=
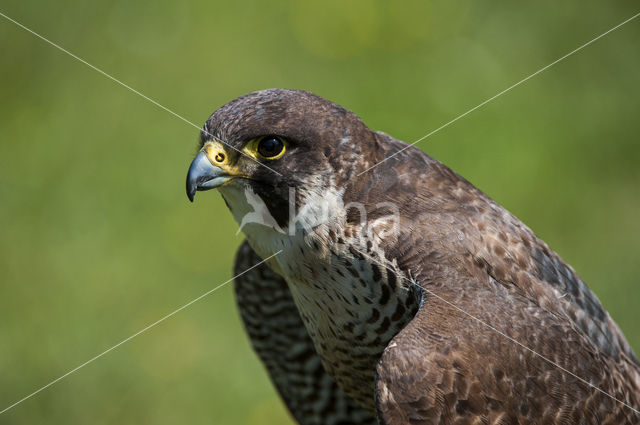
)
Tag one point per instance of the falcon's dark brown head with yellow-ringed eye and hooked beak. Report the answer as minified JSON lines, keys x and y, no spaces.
{"x":279,"y":144}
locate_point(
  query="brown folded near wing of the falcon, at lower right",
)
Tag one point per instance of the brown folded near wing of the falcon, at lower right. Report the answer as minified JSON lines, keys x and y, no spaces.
{"x":449,"y":367}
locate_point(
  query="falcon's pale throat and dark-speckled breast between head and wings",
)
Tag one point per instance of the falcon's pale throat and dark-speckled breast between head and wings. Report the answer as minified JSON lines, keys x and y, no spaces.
{"x":350,"y":298}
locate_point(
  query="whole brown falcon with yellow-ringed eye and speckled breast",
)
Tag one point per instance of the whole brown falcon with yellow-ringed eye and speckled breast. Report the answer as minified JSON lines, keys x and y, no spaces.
{"x":400,"y":294}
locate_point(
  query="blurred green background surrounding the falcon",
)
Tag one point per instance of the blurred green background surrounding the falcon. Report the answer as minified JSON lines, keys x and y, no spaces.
{"x":98,"y":240}
